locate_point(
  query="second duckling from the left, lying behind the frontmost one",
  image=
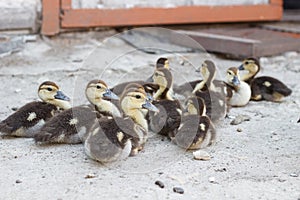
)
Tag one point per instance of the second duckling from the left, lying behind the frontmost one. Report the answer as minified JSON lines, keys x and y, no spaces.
{"x":71,"y":126}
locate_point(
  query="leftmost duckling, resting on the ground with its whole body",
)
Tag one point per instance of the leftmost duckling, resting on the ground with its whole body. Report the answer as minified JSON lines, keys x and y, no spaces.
{"x":29,"y":118}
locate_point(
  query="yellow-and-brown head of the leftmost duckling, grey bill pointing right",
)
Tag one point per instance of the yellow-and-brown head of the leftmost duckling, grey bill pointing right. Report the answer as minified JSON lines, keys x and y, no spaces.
{"x":49,"y":92}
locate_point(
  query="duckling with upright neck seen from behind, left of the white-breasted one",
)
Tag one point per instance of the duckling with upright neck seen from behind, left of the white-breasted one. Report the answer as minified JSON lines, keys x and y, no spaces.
{"x":211,"y":90}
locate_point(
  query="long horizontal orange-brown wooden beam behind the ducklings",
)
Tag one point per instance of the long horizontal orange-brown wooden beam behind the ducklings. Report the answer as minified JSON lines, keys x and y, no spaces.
{"x":76,"y":18}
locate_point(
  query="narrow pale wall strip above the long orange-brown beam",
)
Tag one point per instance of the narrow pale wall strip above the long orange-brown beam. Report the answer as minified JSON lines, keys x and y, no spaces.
{"x":161,"y":3}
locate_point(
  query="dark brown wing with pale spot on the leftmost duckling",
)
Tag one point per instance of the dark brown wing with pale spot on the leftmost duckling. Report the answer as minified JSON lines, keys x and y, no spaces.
{"x":27,"y":116}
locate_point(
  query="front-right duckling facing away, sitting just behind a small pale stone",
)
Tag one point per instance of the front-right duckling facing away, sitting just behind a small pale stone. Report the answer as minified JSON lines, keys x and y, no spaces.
{"x":195,"y":126}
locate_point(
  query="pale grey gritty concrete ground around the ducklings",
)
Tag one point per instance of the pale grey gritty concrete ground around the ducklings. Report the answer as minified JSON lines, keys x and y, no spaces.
{"x":260,"y":161}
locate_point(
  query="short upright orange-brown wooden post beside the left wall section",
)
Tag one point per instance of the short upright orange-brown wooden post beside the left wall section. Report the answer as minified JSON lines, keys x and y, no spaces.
{"x":51,"y":20}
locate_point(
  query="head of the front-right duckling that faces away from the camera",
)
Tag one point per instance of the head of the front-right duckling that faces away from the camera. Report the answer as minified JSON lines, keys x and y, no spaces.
{"x":195,"y":106}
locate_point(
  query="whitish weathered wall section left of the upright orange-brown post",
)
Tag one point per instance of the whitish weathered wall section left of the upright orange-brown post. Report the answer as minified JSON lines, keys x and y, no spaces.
{"x":19,"y":14}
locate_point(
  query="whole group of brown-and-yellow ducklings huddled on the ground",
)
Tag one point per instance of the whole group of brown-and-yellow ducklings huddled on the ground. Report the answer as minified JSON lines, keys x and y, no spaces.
{"x":115,"y":124}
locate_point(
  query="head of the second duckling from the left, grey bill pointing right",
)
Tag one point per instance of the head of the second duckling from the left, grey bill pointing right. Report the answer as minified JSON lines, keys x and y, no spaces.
{"x":96,"y":90}
